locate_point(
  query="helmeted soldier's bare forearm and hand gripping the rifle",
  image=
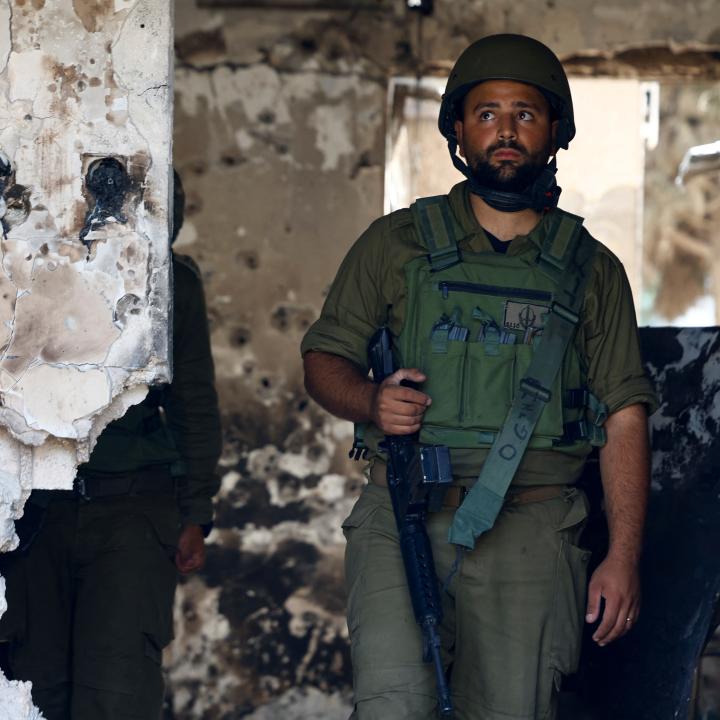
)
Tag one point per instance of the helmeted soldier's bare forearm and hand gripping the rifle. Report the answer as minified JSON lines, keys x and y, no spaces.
{"x":340,"y":387}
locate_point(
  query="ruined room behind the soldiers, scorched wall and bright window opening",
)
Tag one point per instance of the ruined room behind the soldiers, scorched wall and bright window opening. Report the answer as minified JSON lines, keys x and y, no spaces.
{"x":298,"y":122}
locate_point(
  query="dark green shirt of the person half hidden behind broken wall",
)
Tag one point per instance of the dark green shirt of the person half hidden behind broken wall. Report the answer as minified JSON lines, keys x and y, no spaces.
{"x":189,"y":436}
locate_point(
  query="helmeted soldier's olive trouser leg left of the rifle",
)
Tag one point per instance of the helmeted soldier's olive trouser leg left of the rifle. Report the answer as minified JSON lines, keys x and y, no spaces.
{"x":389,"y":676}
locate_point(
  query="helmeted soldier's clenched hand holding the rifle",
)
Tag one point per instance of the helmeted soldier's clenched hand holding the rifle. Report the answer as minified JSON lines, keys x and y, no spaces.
{"x":397,"y":409}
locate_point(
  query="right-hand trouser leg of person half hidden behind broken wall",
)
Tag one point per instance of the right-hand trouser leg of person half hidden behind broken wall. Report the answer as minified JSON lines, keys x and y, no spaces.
{"x":126,"y":582}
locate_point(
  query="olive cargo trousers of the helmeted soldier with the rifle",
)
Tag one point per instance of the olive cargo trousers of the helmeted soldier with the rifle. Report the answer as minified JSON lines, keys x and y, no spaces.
{"x":513,"y":612}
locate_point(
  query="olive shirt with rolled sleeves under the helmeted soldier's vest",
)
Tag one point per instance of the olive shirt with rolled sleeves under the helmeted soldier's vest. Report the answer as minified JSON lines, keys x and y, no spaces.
{"x":369,"y":291}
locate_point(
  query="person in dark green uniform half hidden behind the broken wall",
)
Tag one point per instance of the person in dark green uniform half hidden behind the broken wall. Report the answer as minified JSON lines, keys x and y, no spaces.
{"x":91,"y":599}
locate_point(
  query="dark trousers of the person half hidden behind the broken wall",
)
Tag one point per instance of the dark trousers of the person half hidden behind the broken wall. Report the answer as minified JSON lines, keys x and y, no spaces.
{"x":90,"y":607}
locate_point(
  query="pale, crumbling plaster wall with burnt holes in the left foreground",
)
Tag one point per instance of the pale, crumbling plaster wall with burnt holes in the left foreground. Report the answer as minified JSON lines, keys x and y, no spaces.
{"x":84,"y":165}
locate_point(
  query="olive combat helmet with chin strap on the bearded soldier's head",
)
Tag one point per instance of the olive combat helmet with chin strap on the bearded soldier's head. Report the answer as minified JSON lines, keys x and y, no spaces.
{"x":522,"y":59}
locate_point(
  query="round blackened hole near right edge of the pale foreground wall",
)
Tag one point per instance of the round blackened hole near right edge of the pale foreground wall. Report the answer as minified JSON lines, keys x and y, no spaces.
{"x":108,"y":183}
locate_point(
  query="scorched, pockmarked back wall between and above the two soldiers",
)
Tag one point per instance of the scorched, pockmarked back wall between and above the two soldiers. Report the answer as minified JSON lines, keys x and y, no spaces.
{"x":280,"y":126}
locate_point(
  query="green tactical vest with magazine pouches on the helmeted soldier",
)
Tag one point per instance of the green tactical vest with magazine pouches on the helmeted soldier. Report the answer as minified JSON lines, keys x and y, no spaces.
{"x":474,"y":323}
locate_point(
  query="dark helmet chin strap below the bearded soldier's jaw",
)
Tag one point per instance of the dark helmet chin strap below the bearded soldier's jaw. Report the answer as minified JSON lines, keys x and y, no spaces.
{"x":542,"y":194}
